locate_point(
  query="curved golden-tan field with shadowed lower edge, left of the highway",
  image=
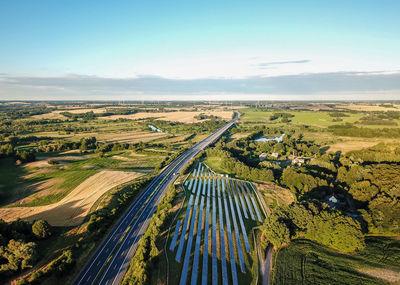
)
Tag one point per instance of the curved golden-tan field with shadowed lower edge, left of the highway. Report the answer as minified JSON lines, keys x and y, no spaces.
{"x":71,"y":210}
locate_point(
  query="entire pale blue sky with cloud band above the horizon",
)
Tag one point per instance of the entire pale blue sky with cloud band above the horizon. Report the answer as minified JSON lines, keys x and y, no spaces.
{"x":212,"y":50}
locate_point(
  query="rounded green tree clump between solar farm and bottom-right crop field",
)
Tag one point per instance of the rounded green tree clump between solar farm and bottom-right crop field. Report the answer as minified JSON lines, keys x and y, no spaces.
{"x":312,"y":221}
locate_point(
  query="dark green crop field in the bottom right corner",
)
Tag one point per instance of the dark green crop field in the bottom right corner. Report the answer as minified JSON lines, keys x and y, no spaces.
{"x":306,"y":262}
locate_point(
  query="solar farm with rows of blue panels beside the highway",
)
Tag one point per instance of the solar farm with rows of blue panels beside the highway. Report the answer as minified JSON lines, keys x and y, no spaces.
{"x":211,"y":240}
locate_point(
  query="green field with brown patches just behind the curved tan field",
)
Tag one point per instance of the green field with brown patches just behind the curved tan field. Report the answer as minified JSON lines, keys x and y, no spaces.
{"x":15,"y":180}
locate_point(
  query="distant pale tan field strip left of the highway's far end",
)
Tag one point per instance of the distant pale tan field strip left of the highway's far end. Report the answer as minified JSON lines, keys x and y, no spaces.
{"x":184,"y":117}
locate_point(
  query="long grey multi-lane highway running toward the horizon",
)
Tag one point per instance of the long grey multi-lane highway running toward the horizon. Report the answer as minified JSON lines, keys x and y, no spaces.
{"x":111,"y":259}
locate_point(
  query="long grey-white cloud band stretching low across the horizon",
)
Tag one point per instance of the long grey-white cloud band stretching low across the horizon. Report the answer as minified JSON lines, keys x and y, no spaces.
{"x":337,"y":85}
